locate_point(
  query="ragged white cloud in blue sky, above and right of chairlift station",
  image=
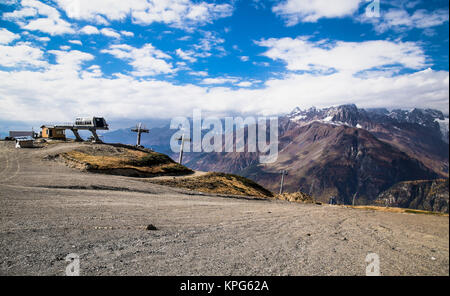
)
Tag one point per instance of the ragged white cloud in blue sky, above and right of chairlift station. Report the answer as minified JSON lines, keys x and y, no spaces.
{"x":146,"y":61}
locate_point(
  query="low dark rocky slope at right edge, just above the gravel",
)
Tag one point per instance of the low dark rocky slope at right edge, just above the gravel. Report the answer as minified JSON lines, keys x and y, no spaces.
{"x":431,"y":195}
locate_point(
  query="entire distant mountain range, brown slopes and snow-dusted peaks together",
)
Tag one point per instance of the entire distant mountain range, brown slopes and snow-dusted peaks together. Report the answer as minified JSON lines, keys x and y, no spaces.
{"x":344,"y":151}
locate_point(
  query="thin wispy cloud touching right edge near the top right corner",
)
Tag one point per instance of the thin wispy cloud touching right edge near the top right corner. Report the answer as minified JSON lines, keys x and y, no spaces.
{"x":401,"y":19}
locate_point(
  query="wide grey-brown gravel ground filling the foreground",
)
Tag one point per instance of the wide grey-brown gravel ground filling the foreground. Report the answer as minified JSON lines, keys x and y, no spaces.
{"x":49,"y":211}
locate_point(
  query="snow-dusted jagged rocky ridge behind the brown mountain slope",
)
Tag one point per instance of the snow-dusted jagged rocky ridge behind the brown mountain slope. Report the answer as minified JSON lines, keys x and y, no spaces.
{"x":422,"y":134}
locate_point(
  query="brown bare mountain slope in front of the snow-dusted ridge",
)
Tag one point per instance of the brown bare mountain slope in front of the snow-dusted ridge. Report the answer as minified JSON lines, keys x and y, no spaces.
{"x":325,"y":160}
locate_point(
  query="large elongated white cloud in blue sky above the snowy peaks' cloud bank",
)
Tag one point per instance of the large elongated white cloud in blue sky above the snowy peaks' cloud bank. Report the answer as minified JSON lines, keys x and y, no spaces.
{"x":300,"y":54}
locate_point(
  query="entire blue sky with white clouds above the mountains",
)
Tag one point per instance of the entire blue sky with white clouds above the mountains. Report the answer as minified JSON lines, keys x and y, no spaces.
{"x":162,"y":58}
